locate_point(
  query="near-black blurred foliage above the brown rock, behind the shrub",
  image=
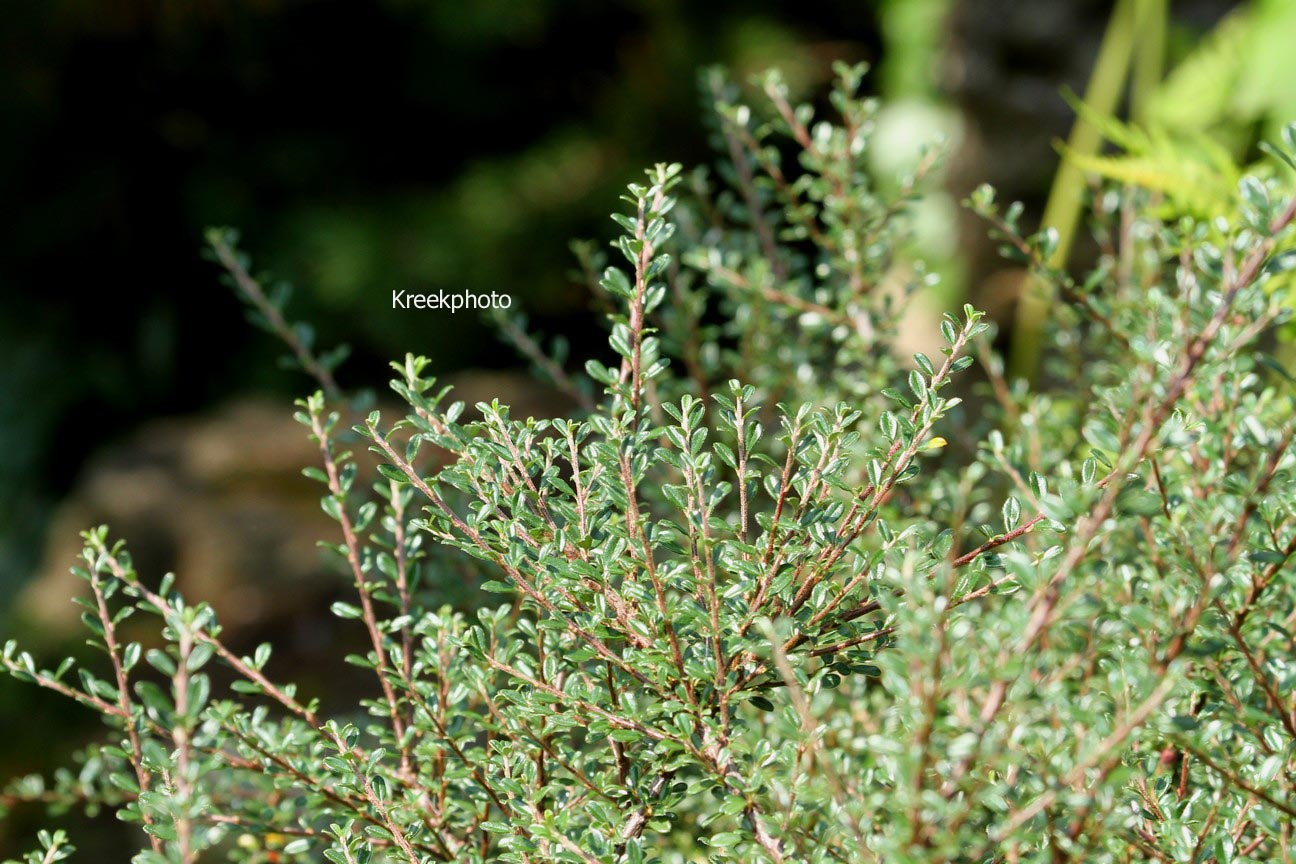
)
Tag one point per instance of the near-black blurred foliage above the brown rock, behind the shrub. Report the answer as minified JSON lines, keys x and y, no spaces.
{"x":360,"y":147}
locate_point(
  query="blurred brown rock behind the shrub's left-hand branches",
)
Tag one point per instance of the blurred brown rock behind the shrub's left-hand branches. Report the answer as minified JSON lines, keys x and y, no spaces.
{"x":220,"y":499}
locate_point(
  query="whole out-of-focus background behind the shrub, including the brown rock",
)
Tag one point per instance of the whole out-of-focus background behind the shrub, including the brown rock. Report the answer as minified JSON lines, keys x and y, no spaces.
{"x":399,"y":144}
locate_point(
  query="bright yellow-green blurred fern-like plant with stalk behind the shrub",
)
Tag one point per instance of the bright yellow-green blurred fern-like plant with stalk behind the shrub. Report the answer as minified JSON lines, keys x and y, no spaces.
{"x":1189,"y":135}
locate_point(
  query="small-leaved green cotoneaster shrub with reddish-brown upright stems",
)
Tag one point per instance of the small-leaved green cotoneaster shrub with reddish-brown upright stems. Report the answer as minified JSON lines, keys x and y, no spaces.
{"x":772,"y":595}
